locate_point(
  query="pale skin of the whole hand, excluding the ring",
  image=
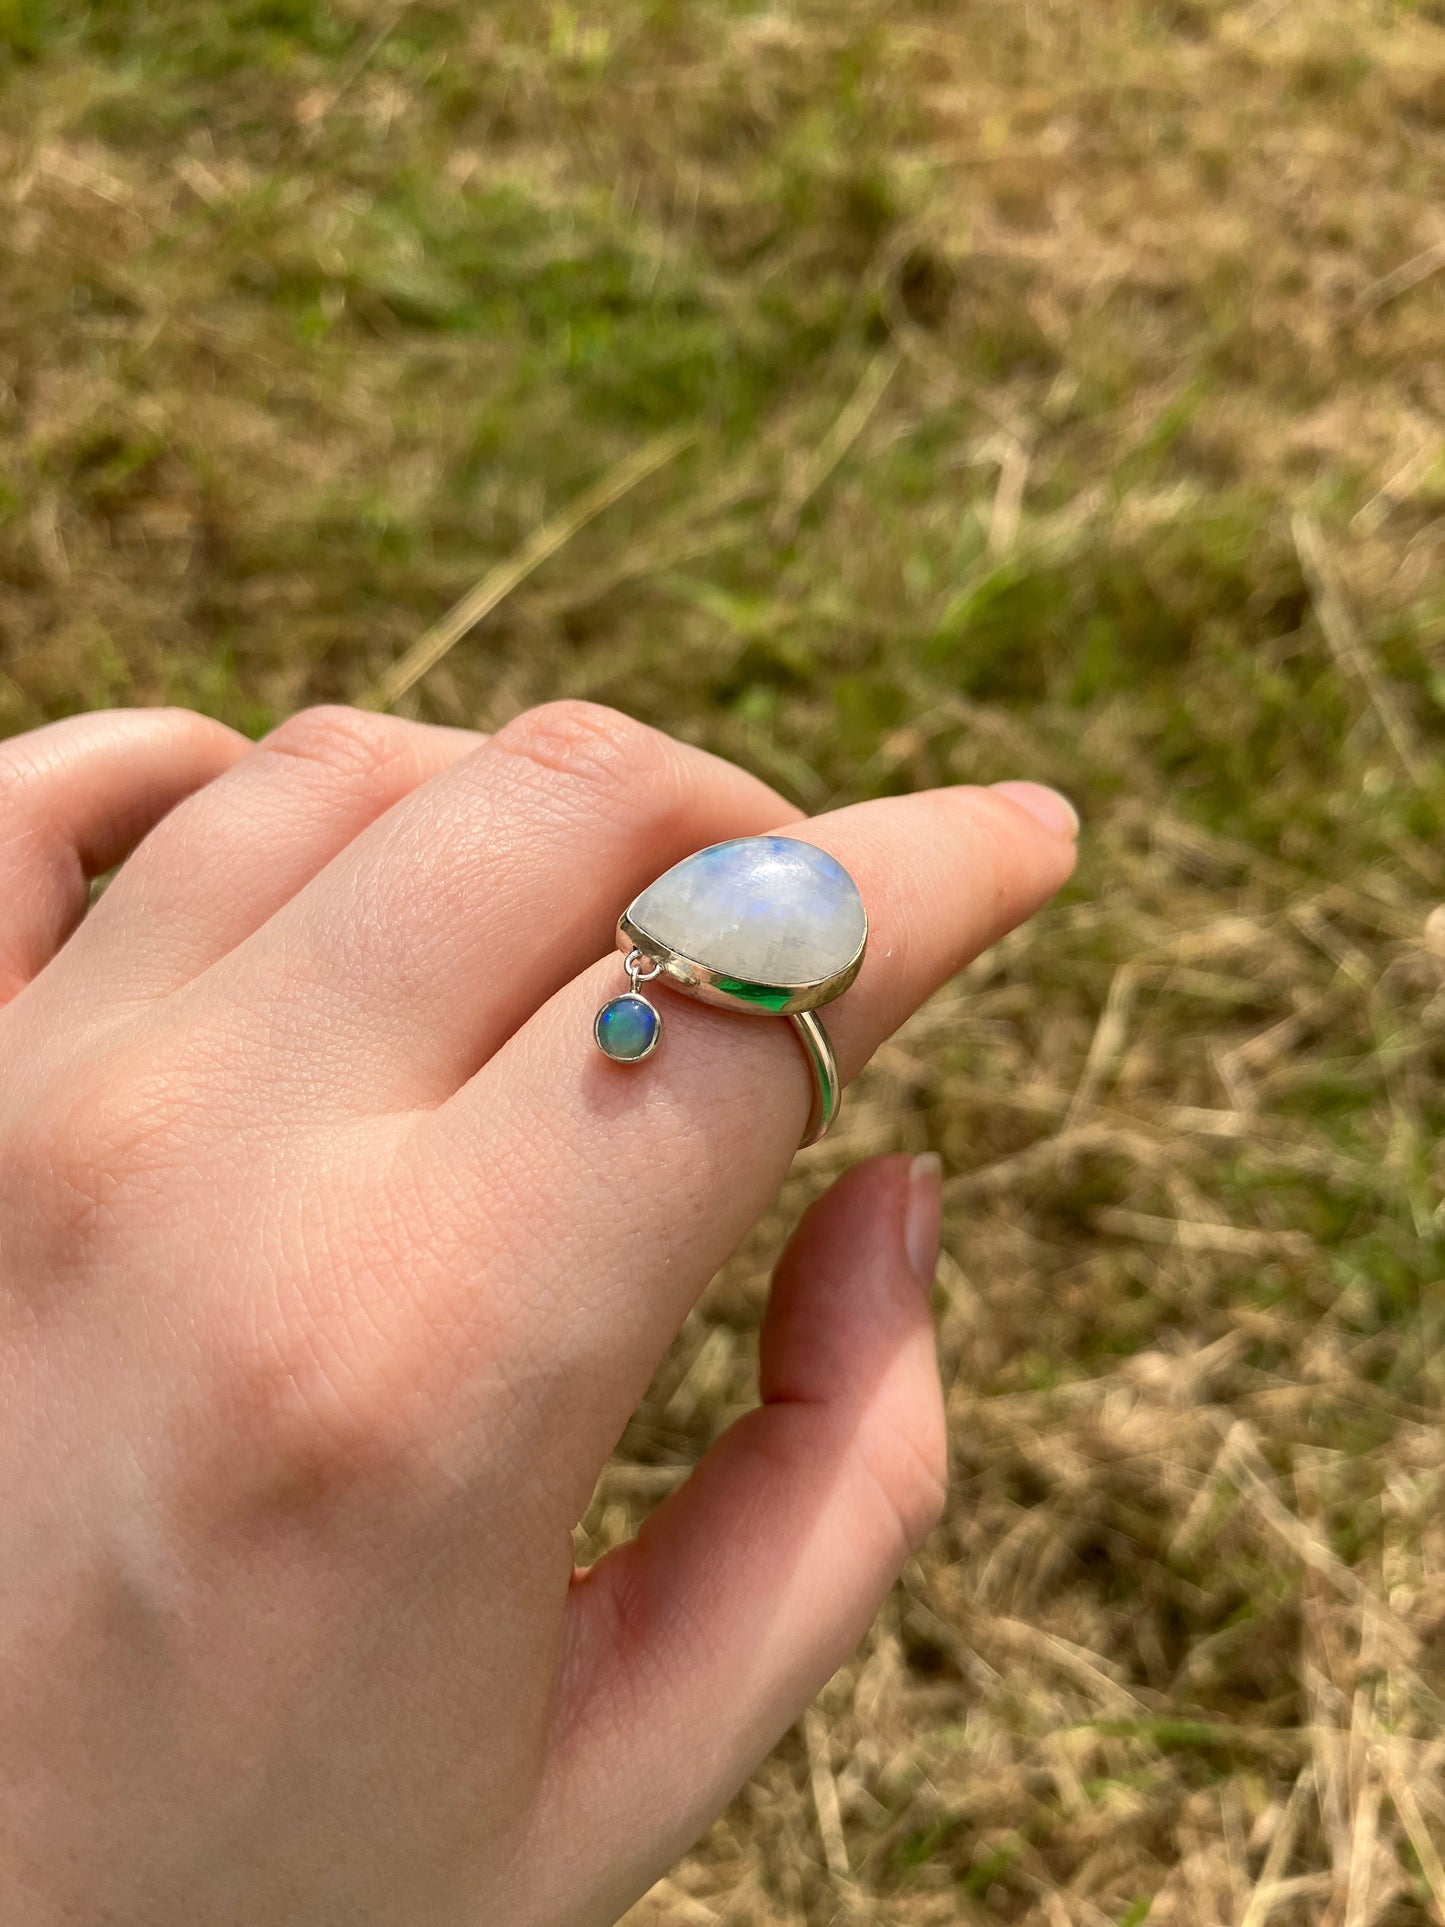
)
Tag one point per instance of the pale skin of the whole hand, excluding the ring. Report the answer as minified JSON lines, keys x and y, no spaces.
{"x":332,"y":1265}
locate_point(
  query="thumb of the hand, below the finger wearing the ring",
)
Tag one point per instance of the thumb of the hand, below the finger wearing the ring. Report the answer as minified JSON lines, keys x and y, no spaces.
{"x":695,"y":1649}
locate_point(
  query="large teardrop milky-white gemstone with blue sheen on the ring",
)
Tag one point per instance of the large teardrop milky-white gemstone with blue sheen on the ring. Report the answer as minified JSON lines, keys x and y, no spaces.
{"x":766,"y":911}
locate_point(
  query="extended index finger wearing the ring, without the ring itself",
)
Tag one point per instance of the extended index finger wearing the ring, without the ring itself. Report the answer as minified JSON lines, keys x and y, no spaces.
{"x":639,"y":1180}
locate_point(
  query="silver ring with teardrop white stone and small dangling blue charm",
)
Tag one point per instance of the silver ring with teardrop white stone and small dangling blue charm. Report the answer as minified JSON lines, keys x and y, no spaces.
{"x":766,"y":926}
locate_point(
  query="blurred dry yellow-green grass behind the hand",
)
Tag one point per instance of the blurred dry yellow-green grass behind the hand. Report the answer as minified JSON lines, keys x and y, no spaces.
{"x":887,"y":394}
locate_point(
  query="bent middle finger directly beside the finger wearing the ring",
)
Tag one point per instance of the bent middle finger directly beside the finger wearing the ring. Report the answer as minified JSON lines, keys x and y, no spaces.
{"x":448,"y":924}
